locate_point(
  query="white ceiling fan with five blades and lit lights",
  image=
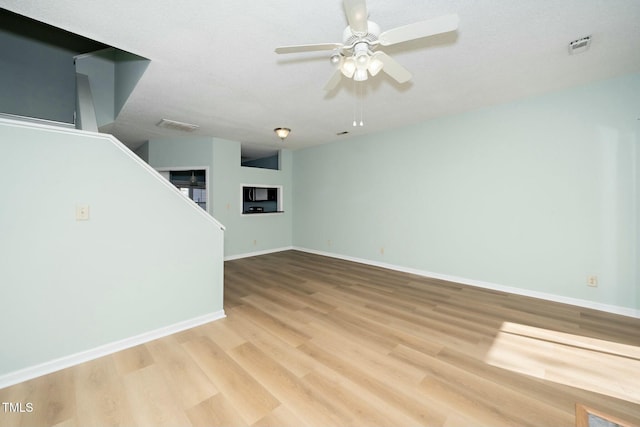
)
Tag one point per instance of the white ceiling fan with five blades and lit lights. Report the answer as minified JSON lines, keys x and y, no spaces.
{"x":357,"y":57}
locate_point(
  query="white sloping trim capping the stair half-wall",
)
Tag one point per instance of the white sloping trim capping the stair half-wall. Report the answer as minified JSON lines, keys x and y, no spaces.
{"x":119,"y":145}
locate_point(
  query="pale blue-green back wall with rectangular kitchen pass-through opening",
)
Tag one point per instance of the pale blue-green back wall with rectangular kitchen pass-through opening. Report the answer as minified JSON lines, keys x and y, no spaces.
{"x":244,"y":234}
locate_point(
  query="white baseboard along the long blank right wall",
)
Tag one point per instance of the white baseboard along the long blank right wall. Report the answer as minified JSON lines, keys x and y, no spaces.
{"x":614,"y":309}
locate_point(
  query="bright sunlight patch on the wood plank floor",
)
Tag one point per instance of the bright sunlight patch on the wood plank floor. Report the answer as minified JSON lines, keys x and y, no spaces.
{"x":589,"y":363}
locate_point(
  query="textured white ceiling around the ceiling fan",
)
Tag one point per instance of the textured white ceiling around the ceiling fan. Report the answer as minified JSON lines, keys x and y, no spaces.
{"x":213,"y":64}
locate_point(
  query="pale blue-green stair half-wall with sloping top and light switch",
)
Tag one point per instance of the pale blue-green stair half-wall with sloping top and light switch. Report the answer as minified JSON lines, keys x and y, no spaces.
{"x":146,"y":259}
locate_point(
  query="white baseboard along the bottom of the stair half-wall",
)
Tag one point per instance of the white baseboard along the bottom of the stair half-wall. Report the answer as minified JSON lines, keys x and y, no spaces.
{"x":31,"y":372}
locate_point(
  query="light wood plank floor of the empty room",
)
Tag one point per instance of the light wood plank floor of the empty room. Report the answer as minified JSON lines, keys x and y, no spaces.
{"x":315,"y":341}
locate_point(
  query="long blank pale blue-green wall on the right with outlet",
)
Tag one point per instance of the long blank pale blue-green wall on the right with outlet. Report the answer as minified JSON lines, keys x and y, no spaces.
{"x":536,"y":194}
